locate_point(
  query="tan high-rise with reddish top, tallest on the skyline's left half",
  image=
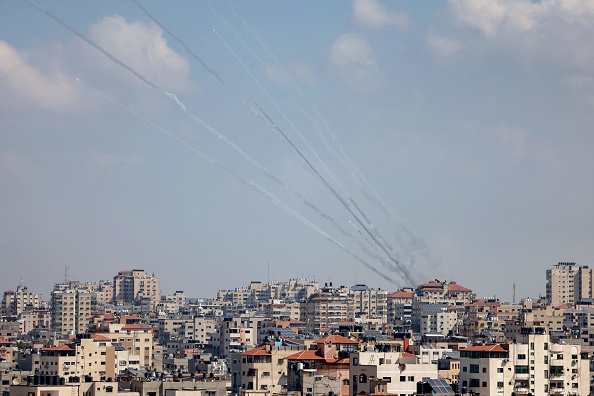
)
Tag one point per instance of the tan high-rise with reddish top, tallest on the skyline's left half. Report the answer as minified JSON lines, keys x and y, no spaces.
{"x":133,"y":285}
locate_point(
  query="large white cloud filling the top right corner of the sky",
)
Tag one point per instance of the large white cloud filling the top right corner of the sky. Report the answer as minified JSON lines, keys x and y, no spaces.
{"x":553,"y":30}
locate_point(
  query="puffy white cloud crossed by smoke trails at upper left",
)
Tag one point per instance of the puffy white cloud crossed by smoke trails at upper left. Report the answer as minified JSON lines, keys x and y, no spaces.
{"x":142,"y":47}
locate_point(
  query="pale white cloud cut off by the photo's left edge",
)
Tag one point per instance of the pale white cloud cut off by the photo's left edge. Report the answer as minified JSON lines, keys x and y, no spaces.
{"x":21,"y":81}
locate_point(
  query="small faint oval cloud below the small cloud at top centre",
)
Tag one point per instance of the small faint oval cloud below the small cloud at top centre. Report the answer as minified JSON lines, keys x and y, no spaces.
{"x":354,"y":62}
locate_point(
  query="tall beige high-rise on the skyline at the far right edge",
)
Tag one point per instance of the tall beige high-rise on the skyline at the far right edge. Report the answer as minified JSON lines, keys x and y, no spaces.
{"x":568,"y":283}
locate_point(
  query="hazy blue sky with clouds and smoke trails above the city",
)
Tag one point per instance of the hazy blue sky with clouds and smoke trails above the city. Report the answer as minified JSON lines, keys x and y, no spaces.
{"x":365,"y":141}
